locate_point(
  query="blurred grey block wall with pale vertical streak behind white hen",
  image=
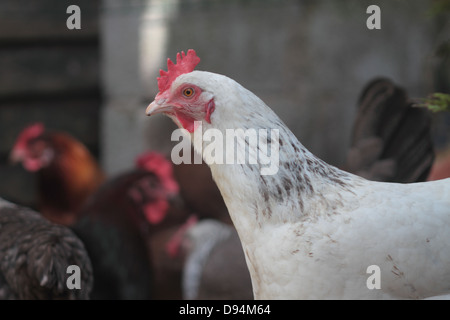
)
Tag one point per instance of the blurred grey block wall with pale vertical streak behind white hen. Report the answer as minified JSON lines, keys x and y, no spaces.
{"x":308,"y":60}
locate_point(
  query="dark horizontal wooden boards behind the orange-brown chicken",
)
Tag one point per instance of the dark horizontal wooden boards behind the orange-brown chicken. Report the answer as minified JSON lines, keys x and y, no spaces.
{"x":49,"y":74}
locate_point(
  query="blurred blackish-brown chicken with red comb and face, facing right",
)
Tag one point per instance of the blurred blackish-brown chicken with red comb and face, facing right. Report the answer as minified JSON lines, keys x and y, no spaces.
{"x":118,"y":223}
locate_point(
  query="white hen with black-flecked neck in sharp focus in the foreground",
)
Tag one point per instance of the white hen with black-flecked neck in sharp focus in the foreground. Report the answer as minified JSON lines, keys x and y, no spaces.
{"x":311,"y":230}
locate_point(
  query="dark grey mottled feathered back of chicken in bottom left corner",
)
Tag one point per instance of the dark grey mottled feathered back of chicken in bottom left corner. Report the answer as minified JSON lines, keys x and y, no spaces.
{"x":35,"y":255}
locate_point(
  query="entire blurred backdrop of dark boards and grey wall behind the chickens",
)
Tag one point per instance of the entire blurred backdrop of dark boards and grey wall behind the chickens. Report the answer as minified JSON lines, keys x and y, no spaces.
{"x":308,"y":60}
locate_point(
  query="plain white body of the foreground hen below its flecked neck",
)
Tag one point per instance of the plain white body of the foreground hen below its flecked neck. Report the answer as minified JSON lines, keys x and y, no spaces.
{"x":395,"y":227}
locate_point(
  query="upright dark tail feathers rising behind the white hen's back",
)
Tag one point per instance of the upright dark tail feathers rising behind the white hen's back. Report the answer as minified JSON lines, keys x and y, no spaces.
{"x":391,"y":139}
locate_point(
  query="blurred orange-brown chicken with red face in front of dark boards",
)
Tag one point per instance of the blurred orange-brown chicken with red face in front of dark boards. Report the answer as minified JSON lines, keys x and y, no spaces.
{"x":67,"y":173}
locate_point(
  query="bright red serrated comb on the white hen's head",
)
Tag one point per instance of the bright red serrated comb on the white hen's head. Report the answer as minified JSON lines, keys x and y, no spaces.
{"x":185,"y":64}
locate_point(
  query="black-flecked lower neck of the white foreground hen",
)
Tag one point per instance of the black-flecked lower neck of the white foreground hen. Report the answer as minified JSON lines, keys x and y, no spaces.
{"x":303,"y":186}
